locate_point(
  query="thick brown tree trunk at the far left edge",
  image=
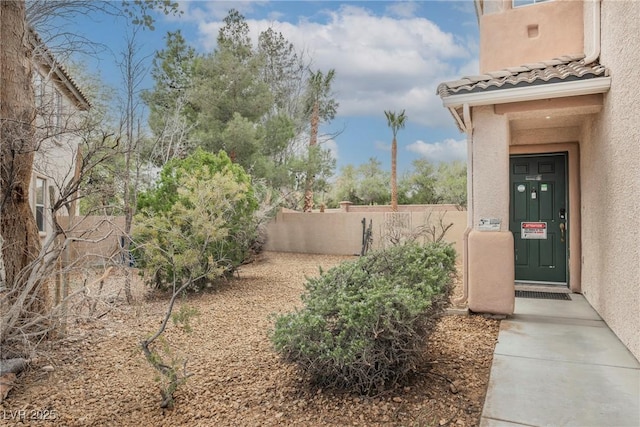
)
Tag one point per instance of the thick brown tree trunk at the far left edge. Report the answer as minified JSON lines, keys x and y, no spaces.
{"x":17,"y":140}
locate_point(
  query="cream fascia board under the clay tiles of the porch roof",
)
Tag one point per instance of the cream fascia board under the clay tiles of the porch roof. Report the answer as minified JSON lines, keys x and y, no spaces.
{"x":529,"y":93}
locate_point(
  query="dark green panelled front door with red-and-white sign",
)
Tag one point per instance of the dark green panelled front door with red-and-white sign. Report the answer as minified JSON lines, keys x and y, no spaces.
{"x":538,"y":217}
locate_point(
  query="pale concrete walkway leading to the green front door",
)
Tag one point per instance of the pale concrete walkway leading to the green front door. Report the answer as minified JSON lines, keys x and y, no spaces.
{"x":558,"y":364}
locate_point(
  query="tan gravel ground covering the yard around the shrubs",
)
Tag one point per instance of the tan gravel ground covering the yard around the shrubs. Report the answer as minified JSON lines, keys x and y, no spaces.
{"x":98,"y":376}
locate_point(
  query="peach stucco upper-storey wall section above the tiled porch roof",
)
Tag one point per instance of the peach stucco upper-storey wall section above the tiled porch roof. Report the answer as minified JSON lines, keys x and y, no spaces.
{"x":514,"y":36}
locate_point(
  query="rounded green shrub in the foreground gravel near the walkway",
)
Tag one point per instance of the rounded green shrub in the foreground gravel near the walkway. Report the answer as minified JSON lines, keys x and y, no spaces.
{"x":365,"y":324}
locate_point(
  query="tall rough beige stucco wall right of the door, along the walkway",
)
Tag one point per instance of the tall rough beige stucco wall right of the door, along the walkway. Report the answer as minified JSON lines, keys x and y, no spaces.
{"x":610,"y":169}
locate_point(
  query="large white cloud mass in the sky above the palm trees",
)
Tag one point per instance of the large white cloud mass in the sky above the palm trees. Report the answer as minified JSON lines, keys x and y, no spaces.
{"x":381,"y":62}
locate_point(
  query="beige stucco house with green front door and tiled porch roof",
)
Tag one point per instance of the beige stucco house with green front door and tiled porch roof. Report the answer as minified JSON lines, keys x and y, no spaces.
{"x":552,"y":124}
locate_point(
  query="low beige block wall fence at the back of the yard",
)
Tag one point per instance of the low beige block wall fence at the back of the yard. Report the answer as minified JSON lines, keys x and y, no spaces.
{"x":333,"y":232}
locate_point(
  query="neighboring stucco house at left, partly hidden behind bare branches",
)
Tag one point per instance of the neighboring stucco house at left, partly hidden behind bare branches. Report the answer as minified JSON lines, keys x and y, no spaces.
{"x":59,"y":105}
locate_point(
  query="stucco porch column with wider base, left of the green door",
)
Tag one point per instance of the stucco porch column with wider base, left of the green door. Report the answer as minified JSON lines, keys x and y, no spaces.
{"x":491,"y":255}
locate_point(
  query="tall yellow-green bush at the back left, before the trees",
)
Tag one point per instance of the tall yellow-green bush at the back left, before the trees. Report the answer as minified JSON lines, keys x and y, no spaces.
{"x":197,"y":224}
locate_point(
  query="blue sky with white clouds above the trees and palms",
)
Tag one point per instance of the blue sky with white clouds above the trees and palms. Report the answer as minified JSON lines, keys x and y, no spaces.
{"x":387,"y":56}
